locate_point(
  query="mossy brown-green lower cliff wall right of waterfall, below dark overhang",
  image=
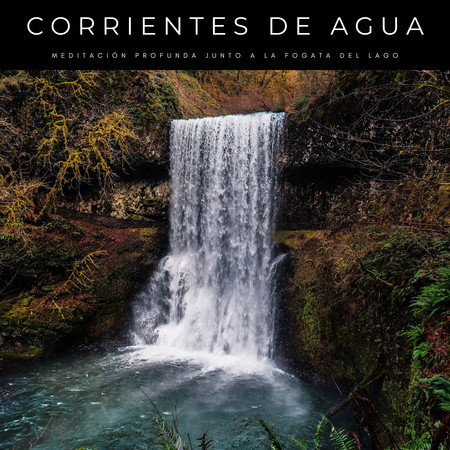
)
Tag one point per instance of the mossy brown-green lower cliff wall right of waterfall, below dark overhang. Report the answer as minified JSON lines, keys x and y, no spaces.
{"x":349,"y":295}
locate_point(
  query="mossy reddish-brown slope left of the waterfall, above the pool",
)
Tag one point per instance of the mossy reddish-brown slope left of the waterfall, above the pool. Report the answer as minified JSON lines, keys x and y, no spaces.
{"x":46,"y":313}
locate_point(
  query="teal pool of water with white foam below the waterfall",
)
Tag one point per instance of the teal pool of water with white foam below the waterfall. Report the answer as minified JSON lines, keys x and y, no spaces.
{"x":102,"y":399}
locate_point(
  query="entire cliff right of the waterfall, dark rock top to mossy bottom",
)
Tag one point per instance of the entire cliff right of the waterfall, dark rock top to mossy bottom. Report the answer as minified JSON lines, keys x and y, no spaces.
{"x":364,"y":223}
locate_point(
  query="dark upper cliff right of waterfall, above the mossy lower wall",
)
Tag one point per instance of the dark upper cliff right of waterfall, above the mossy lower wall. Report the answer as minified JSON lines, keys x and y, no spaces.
{"x":375,"y":141}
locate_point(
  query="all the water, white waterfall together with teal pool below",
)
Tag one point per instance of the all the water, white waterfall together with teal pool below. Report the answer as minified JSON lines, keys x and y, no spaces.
{"x":203,"y":332}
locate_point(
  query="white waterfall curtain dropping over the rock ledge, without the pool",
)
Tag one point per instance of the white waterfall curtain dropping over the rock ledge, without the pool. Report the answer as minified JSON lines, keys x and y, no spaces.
{"x":213,"y":292}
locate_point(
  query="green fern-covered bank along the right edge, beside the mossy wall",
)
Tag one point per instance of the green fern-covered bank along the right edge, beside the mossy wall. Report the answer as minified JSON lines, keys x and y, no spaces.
{"x":405,"y":277}
